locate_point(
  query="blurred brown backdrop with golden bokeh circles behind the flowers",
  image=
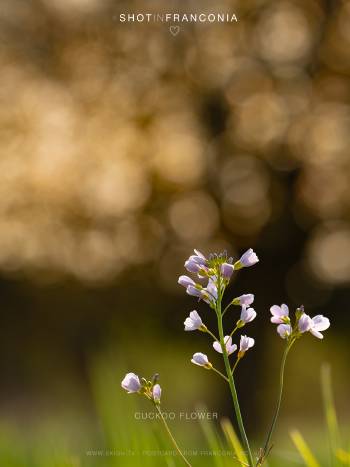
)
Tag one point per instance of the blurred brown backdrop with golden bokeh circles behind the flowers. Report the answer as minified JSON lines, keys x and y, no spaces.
{"x":122,"y":148}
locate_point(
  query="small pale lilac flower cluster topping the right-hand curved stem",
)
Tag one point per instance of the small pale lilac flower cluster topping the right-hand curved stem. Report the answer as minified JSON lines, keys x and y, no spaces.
{"x":303,"y":323}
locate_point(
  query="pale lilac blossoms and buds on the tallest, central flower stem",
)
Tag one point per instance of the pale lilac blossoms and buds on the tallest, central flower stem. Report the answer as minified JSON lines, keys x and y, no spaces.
{"x":218,"y":270}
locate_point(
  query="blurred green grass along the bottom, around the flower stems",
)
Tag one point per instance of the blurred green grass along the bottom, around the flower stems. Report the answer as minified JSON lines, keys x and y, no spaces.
{"x":119,"y":439}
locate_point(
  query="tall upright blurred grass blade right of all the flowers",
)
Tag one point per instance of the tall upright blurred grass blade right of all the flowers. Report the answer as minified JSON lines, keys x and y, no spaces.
{"x":330,"y":412}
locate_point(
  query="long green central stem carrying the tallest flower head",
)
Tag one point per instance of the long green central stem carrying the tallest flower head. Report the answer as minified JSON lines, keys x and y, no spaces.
{"x":230,"y":377}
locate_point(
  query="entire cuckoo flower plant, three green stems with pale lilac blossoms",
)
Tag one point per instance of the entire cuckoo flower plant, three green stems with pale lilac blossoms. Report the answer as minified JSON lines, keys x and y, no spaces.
{"x":211,"y":276}
